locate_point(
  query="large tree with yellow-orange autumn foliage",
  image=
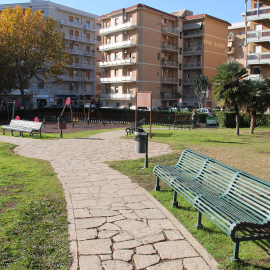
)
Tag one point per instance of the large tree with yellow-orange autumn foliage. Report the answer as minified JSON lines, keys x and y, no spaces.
{"x":32,"y":49}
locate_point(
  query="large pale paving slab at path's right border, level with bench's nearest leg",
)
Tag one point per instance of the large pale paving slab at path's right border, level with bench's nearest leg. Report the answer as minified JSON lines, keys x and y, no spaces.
{"x":175,"y":250}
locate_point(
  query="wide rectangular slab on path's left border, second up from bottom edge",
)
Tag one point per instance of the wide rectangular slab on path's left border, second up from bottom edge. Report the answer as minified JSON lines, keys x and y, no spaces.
{"x":95,"y":247}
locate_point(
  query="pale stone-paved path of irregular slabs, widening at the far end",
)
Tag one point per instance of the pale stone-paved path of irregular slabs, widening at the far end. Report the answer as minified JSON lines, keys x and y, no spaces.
{"x":114,"y":224}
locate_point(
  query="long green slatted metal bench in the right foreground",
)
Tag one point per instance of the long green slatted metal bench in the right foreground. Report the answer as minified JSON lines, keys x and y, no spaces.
{"x":237,"y":202}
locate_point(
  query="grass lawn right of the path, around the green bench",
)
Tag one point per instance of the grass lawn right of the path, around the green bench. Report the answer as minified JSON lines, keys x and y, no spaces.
{"x":250,"y":153}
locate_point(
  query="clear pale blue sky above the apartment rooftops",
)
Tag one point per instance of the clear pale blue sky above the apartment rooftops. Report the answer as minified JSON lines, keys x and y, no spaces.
{"x":228,"y":10}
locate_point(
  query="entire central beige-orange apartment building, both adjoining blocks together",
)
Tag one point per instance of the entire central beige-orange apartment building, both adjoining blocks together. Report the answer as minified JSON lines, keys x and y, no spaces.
{"x":145,"y":49}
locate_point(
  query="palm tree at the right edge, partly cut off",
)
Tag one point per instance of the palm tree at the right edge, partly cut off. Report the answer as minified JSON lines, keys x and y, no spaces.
{"x":259,"y":100}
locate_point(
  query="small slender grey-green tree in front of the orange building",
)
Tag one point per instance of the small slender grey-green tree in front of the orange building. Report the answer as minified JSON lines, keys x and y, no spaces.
{"x":201,"y":86}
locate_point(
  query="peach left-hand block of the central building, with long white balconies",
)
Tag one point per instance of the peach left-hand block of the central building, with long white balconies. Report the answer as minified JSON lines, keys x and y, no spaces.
{"x":142,"y":51}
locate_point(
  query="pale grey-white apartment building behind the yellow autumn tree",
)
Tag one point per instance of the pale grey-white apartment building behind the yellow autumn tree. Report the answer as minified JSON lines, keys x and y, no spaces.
{"x":79,"y":80}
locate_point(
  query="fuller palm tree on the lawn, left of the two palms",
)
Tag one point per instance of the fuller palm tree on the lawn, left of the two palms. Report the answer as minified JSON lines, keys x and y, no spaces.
{"x":230,"y":87}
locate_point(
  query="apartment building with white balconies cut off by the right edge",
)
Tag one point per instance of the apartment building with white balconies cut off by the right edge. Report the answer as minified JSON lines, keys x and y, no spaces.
{"x":258,"y":38}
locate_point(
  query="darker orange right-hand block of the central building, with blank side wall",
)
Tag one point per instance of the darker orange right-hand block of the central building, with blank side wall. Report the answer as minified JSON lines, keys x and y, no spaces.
{"x":205,"y":47}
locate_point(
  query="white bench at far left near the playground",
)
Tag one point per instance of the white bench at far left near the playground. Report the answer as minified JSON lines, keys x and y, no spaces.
{"x":23,"y":126}
